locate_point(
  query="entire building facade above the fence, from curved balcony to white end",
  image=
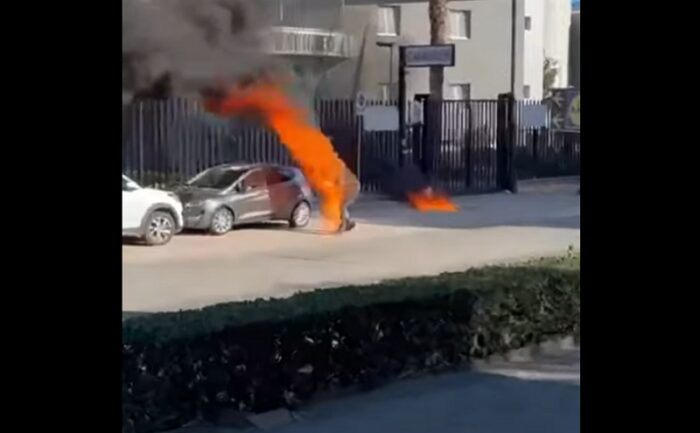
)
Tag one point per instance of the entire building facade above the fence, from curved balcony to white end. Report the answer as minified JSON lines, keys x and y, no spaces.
{"x":340,"y":48}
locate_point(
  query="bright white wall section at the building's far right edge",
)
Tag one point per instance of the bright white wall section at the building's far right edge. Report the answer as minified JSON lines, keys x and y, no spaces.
{"x":556,"y":36}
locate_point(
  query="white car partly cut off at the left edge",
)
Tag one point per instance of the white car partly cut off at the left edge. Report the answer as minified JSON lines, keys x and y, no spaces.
{"x":149,"y":214}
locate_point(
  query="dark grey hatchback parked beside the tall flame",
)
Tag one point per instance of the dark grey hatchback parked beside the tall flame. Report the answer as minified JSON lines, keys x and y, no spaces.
{"x":221,"y":197}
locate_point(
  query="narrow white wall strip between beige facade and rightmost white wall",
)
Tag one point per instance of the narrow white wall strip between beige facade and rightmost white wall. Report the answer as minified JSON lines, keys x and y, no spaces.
{"x":533,"y":60}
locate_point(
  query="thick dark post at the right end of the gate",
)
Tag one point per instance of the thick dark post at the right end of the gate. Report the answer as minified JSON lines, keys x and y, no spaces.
{"x":505,"y":145}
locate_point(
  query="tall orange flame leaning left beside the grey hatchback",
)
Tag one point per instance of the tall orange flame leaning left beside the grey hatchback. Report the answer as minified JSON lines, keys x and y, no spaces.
{"x":312,"y":151}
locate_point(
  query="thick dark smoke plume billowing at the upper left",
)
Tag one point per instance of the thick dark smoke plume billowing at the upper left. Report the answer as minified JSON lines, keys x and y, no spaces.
{"x":179,"y":47}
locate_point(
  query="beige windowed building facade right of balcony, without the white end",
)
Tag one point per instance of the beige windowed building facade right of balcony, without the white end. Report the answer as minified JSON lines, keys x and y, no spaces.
{"x":480,"y":29}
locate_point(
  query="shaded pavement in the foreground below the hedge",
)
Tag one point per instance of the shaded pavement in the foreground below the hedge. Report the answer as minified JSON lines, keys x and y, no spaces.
{"x":541,"y":396}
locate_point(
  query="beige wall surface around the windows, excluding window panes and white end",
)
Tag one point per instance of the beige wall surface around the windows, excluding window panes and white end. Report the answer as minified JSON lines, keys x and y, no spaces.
{"x":483,"y":61}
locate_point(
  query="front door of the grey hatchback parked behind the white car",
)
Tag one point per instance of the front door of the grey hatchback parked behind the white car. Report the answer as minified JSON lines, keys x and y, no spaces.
{"x":253,"y":201}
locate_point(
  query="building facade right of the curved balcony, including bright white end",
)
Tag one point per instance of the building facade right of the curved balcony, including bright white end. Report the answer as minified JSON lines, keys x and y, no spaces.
{"x":500,"y":47}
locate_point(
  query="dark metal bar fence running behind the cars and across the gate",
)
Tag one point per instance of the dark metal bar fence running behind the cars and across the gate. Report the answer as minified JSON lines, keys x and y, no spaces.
{"x":457,"y":144}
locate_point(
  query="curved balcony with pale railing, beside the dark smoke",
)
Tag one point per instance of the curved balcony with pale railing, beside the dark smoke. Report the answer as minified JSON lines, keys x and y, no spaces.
{"x":310,"y":42}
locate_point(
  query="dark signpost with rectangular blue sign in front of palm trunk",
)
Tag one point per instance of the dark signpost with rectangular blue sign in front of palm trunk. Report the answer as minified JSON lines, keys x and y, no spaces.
{"x":418,"y":56}
